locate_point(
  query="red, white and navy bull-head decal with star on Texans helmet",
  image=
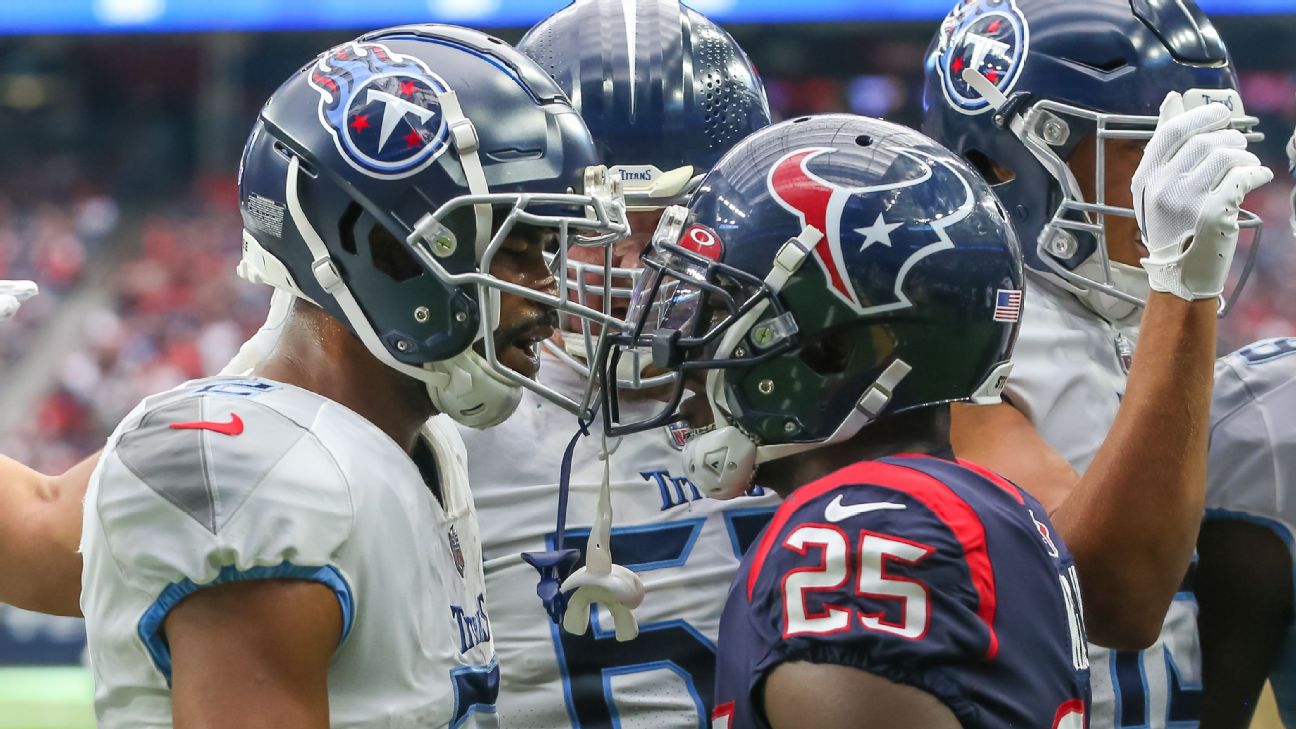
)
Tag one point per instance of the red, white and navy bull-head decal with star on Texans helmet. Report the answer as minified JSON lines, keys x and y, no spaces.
{"x":892,"y":235}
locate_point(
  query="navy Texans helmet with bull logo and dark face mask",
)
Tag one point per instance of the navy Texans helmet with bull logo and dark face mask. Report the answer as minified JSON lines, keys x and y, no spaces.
{"x":829,"y":273}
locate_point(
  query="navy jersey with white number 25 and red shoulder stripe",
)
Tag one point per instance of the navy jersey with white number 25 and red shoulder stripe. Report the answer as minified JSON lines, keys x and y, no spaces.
{"x":923,"y":571}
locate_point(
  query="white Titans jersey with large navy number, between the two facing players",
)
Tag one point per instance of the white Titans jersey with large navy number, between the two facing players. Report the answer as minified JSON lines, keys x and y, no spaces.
{"x":686,"y":549}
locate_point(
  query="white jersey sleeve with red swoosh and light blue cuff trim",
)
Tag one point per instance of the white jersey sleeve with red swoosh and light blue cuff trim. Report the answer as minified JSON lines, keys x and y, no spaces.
{"x":183,"y":499}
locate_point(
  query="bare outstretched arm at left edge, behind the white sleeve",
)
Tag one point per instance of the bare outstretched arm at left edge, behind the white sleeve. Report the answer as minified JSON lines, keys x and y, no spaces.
{"x":41,"y":521}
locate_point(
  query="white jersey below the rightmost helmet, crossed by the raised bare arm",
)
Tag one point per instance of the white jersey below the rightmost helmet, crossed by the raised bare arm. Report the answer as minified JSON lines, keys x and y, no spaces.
{"x":1069,"y":378}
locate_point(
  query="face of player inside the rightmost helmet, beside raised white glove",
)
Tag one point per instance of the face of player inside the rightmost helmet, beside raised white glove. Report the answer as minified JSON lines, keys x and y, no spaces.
{"x":1123,"y":160}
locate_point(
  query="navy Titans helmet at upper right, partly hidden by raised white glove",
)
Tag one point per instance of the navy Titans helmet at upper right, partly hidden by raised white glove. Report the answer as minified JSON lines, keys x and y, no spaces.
{"x":1015,"y":86}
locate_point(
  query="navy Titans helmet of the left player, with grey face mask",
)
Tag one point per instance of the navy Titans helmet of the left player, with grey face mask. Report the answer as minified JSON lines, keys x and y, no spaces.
{"x":383,"y":178}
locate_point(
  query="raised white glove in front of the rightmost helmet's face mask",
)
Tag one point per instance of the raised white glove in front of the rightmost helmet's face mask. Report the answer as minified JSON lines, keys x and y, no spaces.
{"x":1188,"y":191}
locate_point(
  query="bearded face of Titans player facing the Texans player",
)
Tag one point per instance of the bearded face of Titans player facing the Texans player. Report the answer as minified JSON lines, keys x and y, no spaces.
{"x":524,"y":325}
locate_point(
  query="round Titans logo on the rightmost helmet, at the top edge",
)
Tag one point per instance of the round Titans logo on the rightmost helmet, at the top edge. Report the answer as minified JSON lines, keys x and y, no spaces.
{"x":991,"y":37}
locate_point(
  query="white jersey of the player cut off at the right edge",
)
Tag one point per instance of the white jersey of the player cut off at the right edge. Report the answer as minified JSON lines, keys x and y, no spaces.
{"x":1254,"y":462}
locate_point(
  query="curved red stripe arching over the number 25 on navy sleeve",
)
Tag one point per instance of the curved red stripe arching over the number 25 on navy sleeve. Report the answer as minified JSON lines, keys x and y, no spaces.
{"x":939,"y":499}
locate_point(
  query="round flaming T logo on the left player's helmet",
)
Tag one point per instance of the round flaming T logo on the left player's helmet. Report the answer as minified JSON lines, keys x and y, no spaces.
{"x":382,"y":110}
